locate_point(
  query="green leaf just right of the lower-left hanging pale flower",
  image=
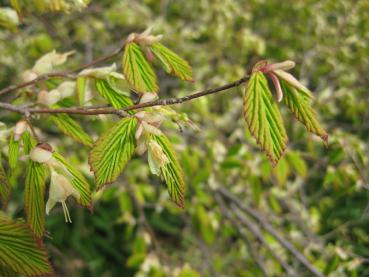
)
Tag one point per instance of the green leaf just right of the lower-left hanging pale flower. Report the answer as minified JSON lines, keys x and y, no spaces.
{"x":79,"y":181}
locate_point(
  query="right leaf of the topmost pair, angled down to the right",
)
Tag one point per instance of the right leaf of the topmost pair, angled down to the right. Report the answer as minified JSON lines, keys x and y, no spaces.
{"x":172,"y":63}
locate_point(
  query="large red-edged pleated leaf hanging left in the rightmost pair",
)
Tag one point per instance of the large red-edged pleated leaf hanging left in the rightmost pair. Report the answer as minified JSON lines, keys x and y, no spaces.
{"x":263,"y":118}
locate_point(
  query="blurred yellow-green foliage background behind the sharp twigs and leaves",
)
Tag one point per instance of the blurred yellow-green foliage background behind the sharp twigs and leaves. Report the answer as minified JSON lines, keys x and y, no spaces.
{"x":316,"y":198}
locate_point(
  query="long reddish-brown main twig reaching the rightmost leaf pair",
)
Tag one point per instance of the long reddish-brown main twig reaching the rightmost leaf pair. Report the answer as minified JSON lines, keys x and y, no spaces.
{"x":121,"y":112}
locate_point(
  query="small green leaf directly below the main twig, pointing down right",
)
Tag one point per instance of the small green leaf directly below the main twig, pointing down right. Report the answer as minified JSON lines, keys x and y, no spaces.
{"x":71,"y":128}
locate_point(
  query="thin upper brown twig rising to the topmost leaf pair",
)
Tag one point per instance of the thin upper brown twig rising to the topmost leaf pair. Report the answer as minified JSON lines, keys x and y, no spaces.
{"x":67,"y":74}
